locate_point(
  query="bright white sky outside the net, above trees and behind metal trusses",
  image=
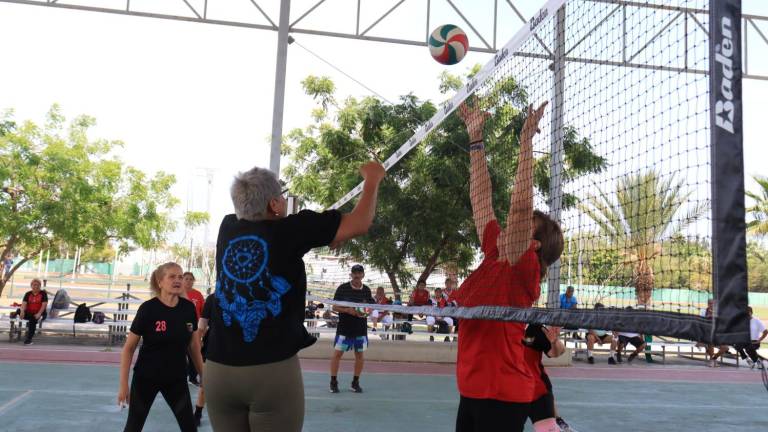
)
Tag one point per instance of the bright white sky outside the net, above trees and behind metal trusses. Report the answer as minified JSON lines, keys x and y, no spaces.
{"x":190,"y":98}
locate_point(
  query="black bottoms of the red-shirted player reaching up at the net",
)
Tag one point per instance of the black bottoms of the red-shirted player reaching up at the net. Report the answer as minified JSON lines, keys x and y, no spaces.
{"x":489,"y":415}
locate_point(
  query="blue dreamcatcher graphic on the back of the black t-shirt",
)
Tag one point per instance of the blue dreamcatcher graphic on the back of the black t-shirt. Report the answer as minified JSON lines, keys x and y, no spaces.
{"x":245,"y":289}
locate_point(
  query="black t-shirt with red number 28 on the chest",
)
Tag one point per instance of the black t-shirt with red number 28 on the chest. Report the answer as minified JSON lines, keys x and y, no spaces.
{"x":165,"y":333}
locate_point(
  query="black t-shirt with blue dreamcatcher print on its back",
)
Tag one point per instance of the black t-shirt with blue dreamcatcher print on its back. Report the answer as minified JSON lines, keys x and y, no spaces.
{"x":261,"y":286}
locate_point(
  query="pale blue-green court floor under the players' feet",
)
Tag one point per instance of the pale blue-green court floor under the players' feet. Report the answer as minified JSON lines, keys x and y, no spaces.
{"x":46,"y":396}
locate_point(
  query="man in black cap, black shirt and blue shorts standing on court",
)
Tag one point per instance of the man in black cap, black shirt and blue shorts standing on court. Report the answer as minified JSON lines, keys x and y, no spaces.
{"x":352,"y":332}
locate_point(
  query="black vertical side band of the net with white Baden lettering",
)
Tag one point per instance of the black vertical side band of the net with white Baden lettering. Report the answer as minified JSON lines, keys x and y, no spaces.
{"x":729,"y":277}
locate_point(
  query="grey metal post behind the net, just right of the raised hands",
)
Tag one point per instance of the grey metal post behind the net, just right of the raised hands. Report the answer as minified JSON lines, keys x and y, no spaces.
{"x":556,"y":146}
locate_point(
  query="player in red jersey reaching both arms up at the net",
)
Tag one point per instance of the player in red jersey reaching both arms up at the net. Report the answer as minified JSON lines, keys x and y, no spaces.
{"x":495,"y":383}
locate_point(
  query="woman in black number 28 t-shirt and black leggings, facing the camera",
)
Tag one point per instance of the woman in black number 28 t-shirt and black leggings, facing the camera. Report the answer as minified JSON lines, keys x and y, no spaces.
{"x":167,"y":323}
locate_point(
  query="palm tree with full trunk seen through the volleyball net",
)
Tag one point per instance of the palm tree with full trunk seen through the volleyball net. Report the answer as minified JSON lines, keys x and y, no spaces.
{"x":642,"y":213}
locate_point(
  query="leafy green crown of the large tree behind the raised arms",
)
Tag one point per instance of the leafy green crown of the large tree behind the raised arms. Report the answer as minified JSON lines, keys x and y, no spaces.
{"x":424,"y":213}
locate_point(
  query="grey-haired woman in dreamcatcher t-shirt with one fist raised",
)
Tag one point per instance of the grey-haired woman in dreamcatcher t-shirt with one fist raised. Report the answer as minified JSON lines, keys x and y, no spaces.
{"x":253,"y":379}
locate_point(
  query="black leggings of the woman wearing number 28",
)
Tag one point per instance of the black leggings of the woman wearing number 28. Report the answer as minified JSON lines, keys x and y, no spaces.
{"x":175,"y":393}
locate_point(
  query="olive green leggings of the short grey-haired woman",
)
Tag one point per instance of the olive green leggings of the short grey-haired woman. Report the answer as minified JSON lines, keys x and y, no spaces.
{"x":264,"y":398}
